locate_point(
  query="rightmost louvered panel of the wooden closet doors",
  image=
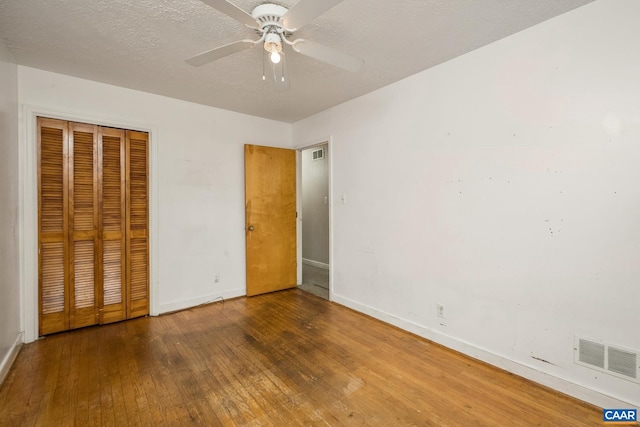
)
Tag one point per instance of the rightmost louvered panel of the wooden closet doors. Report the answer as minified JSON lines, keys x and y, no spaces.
{"x":137,"y":223}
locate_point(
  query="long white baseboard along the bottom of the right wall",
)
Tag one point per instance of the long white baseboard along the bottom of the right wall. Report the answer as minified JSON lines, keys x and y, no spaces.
{"x":562,"y":385}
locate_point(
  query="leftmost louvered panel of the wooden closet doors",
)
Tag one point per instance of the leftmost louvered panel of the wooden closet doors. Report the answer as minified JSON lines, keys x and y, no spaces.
{"x":53,"y":226}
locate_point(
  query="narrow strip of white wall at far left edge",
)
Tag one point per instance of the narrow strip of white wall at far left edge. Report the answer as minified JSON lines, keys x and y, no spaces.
{"x":10,"y":337}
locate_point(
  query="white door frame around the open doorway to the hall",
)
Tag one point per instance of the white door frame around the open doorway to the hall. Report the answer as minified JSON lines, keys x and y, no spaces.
{"x":299,"y":148}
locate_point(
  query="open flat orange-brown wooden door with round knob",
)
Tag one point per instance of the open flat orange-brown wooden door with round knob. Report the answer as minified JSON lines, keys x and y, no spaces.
{"x":270,"y":215}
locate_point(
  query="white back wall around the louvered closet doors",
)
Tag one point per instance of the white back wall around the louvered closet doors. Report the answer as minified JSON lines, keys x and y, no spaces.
{"x":197,"y":181}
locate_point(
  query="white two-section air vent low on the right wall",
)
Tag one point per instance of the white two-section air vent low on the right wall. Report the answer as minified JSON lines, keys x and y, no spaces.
{"x":621,"y":362}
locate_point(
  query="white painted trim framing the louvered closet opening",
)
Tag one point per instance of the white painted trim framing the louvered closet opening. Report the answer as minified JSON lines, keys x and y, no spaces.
{"x":28,"y":205}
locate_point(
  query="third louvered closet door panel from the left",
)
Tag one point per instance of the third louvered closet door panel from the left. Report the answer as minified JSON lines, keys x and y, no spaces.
{"x":112,"y":195}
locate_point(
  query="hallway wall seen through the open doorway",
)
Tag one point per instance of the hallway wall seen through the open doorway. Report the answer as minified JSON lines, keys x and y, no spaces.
{"x":315,"y":212}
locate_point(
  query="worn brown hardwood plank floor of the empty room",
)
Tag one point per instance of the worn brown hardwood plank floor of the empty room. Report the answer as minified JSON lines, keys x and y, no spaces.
{"x":287,"y":358}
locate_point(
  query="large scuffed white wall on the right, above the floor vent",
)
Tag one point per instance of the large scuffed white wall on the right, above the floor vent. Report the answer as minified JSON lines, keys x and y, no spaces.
{"x":504,"y":184}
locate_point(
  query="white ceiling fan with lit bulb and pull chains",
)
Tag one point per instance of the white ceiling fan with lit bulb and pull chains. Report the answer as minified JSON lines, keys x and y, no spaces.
{"x":275,"y":24}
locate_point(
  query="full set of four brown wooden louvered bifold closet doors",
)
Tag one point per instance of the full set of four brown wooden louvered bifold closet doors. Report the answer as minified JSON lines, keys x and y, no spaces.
{"x":93,"y":225}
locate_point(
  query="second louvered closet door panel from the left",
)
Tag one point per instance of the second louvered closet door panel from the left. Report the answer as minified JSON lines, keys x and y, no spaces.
{"x":84,"y":251}
